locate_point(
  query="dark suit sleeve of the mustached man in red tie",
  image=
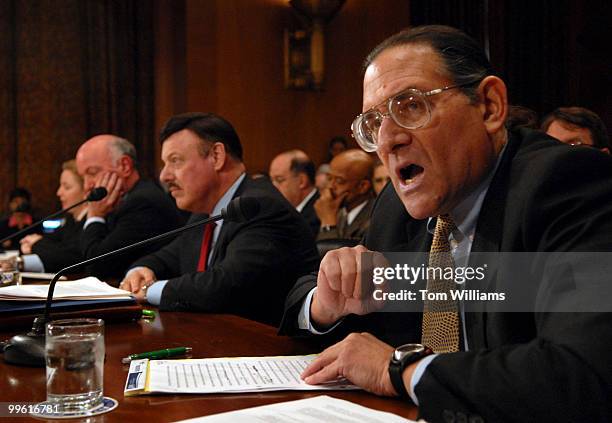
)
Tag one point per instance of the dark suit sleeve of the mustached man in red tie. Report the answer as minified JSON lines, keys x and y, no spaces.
{"x":248,"y":266}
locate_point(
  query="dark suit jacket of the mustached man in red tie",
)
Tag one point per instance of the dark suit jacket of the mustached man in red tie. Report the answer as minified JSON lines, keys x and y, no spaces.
{"x":253,"y":263}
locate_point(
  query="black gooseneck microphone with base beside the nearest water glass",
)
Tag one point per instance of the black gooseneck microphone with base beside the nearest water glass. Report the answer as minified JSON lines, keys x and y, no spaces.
{"x":29,"y":349}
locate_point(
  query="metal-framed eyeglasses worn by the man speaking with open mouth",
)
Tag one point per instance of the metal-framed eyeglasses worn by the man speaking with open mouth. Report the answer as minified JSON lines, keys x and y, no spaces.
{"x":409,"y":109}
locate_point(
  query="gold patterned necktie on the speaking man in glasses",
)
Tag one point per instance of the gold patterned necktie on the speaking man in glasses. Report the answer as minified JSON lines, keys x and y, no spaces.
{"x":441,"y":316}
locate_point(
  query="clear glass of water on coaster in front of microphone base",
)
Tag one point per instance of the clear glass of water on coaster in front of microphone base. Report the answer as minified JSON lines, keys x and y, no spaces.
{"x":74,"y":353}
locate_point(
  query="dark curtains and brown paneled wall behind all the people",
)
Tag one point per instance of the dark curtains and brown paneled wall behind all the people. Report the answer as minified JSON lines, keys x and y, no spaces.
{"x":71,"y":69}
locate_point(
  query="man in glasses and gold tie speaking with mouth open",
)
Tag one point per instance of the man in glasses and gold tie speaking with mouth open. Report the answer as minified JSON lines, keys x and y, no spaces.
{"x":435,"y":113}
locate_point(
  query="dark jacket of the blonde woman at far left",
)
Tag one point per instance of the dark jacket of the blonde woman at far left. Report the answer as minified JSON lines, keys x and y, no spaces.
{"x":62,"y":247}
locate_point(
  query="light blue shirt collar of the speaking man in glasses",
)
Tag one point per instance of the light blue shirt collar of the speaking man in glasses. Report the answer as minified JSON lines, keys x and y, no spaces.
{"x":465,"y":214}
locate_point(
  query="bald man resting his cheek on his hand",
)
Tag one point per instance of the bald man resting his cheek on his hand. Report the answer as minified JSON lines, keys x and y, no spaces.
{"x":133,"y":210}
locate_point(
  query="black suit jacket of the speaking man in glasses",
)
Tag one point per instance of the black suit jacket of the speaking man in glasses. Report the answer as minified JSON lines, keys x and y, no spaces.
{"x":521,"y":366}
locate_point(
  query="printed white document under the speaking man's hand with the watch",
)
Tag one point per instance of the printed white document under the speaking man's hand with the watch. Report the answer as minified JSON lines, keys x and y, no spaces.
{"x":214,"y":375}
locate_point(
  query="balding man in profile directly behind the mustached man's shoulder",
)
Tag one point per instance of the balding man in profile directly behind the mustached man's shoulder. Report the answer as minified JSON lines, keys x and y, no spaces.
{"x":293,"y":174}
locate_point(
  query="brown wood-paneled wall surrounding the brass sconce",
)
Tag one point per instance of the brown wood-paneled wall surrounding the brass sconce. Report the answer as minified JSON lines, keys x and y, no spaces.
{"x":226,"y":56}
